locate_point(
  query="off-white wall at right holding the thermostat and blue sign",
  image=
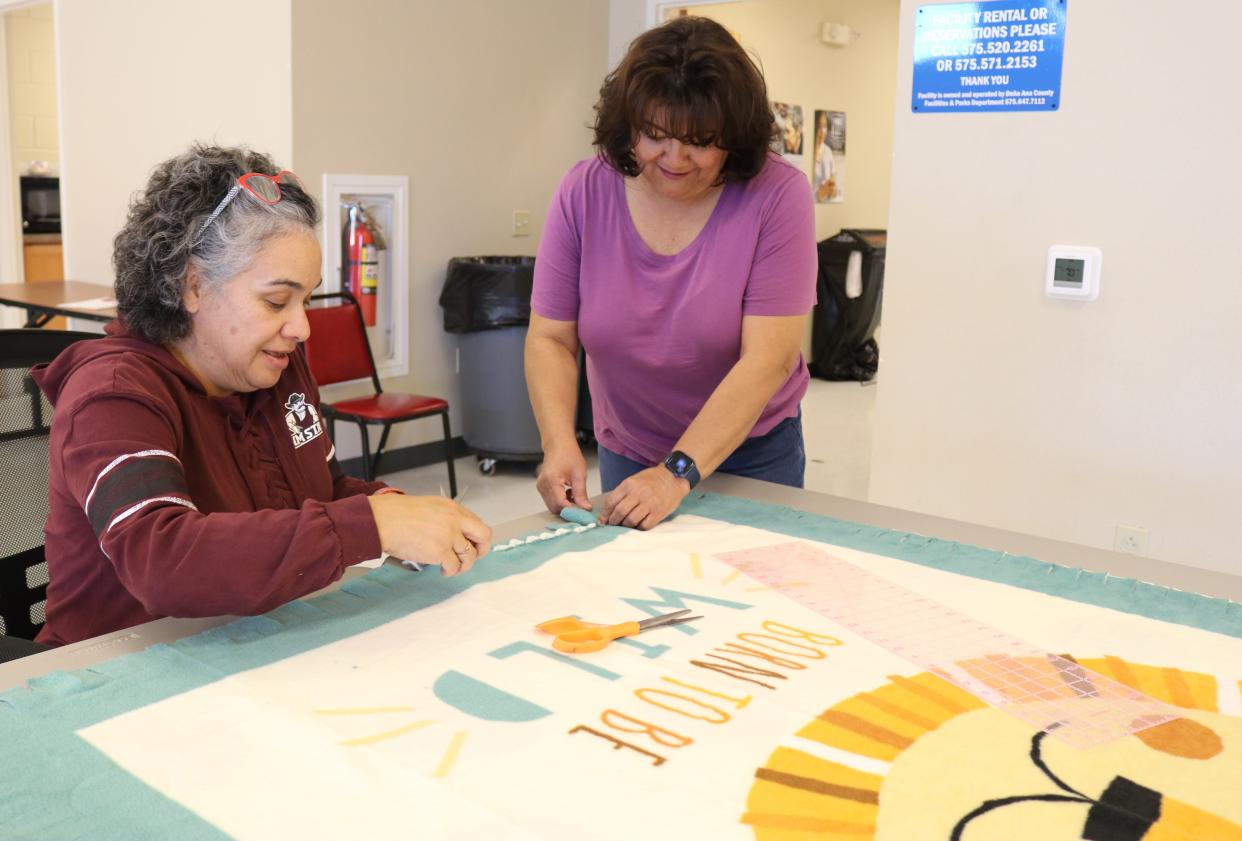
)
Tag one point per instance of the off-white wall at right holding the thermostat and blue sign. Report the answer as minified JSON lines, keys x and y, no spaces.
{"x":1002,"y":407}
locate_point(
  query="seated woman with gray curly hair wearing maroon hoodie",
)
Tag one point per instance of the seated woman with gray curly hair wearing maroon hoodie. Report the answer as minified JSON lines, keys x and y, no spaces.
{"x":191,"y":474}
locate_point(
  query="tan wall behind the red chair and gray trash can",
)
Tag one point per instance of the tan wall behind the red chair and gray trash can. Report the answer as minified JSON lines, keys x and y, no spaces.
{"x":483,"y":105}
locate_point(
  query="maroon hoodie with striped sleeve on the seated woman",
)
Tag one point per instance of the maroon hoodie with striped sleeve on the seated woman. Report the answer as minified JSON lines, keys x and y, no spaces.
{"x":167,"y":502}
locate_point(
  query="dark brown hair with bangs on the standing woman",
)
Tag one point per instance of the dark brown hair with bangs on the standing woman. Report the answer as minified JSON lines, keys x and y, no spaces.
{"x":692,"y":74}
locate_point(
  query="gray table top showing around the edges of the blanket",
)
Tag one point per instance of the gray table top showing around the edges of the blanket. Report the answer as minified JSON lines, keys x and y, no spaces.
{"x":88,"y":653}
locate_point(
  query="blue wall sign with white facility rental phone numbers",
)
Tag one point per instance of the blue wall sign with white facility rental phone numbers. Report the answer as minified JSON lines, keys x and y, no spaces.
{"x":1002,"y":55}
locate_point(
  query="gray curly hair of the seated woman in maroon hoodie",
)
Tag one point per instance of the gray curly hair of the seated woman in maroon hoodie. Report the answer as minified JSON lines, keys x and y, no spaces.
{"x":161,"y":242}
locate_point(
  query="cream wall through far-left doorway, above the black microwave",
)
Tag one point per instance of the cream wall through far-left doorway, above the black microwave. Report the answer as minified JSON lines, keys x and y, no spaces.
{"x":32,"y":68}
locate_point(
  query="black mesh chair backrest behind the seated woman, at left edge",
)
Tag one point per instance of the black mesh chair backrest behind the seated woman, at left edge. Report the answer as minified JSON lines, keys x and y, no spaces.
{"x":25,"y":418}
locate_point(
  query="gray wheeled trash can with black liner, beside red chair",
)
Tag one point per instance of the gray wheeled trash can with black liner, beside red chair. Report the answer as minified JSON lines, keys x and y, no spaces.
{"x":487,"y":304}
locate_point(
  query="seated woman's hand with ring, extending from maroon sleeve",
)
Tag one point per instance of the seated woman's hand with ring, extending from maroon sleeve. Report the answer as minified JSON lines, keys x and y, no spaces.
{"x":430,"y":531}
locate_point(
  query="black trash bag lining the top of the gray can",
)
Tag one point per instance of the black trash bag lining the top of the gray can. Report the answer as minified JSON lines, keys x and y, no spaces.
{"x":485,"y":294}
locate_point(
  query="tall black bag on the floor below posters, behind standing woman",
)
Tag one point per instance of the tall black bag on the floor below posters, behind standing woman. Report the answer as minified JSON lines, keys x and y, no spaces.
{"x":843,"y":329}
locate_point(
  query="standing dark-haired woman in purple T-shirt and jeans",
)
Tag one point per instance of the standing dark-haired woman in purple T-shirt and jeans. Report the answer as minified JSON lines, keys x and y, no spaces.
{"x":684,"y":259}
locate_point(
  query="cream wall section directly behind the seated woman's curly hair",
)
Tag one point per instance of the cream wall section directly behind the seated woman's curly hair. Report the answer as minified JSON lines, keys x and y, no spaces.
{"x":141,"y":80}
